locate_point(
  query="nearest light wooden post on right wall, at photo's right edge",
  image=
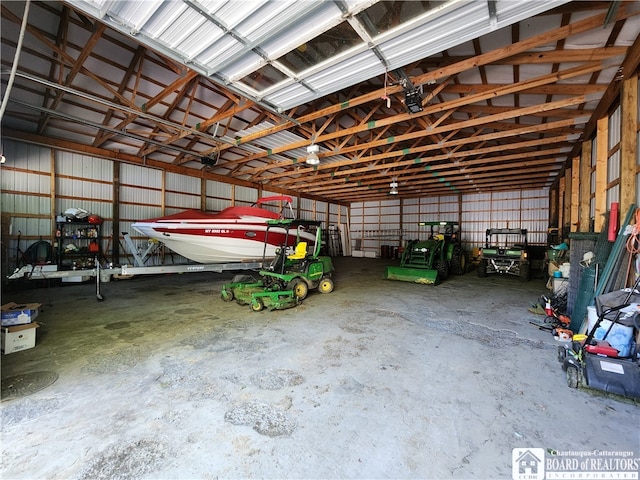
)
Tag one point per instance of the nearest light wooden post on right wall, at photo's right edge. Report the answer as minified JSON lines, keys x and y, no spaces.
{"x":628,"y":143}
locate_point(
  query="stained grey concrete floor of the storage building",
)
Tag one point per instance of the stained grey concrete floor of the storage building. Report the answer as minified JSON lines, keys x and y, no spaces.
{"x":378,"y":379}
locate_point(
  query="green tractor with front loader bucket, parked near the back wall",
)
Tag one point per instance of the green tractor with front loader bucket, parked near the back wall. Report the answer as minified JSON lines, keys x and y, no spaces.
{"x":431,"y":261}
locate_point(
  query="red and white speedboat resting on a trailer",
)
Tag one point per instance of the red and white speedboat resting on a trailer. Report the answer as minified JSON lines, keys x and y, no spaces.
{"x":236,"y":234}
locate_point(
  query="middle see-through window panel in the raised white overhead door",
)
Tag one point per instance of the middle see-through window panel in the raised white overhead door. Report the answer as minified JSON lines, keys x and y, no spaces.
{"x":321,"y":48}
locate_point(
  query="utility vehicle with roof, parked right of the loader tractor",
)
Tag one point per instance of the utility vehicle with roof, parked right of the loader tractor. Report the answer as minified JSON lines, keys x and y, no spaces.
{"x":505,"y":252}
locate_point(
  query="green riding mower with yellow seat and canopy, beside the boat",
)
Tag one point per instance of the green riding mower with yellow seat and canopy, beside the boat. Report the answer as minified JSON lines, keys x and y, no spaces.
{"x":286,"y":281}
